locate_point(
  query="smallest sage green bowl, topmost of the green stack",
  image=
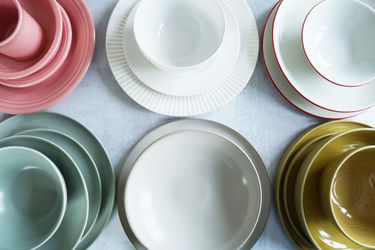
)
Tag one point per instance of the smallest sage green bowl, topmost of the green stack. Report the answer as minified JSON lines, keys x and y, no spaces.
{"x":33,"y":198}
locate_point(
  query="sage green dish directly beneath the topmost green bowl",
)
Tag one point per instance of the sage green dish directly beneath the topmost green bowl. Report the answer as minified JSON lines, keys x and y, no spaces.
{"x":74,"y":222}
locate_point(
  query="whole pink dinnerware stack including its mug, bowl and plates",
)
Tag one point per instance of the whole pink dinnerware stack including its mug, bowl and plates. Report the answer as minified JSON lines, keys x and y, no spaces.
{"x":45,"y":50}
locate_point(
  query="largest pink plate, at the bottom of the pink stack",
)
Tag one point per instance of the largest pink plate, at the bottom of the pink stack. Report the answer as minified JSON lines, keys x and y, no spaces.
{"x":67,"y":77}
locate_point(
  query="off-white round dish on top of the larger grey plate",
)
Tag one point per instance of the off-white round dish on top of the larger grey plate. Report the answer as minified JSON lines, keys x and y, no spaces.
{"x":206,"y":194}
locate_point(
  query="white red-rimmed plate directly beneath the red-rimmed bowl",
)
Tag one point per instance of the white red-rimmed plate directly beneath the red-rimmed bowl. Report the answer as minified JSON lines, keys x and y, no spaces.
{"x":296,"y":68}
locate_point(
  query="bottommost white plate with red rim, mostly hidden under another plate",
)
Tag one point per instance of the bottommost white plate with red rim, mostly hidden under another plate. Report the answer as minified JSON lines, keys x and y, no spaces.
{"x":281,"y":83}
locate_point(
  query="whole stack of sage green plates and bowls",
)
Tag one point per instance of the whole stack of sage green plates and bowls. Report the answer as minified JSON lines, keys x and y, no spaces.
{"x":87,"y":179}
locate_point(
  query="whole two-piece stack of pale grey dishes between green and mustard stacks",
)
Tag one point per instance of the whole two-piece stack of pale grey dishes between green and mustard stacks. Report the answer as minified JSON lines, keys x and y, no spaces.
{"x":193,"y":184}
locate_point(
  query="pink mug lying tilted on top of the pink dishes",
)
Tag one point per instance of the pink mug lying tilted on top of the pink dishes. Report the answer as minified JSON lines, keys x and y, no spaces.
{"x":21,"y":37}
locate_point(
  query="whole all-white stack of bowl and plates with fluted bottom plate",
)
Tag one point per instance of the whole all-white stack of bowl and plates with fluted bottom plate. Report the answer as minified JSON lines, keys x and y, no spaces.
{"x":182,"y":58}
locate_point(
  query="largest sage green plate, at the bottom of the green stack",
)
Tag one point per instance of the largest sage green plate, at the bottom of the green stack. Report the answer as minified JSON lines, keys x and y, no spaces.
{"x":85,"y":138}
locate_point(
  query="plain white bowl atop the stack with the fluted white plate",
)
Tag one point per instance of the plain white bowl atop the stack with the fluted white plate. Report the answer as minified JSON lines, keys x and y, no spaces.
{"x":179,"y":35}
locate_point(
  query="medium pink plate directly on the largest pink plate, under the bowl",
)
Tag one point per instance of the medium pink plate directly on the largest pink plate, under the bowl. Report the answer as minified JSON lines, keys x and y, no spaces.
{"x":52,"y":66}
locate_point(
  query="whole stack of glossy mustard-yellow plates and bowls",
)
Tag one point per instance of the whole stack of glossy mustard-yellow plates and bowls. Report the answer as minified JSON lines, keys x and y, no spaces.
{"x":324,"y":187}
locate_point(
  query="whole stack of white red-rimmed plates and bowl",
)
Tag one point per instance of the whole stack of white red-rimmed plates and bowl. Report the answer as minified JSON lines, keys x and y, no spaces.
{"x":322,"y":62}
